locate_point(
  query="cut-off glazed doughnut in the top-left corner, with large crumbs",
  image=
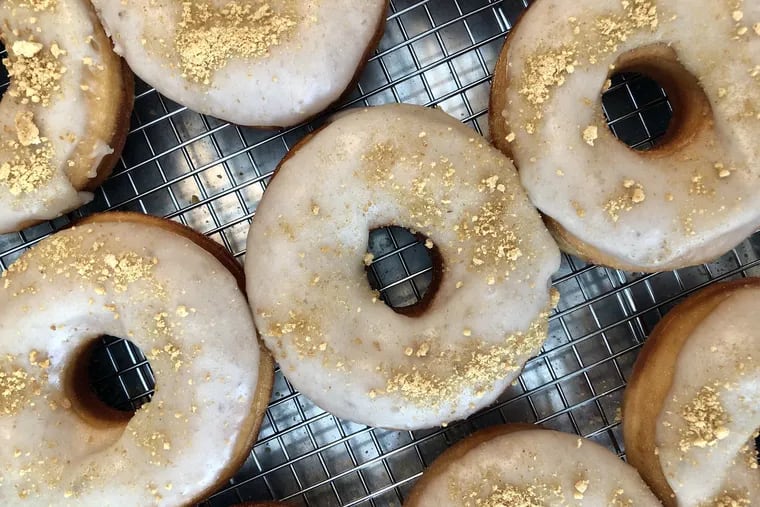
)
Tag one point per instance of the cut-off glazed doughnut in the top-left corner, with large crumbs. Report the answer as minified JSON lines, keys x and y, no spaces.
{"x":65,"y":115}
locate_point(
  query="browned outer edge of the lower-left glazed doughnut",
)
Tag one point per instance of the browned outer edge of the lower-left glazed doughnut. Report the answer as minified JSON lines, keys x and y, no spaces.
{"x":266,"y":363}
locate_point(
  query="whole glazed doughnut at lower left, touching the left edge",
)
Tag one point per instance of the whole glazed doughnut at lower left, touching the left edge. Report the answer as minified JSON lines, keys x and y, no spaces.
{"x":176,"y":295}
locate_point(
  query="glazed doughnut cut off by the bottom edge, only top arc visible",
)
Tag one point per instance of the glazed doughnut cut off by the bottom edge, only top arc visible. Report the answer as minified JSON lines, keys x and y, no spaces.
{"x":523,"y":465}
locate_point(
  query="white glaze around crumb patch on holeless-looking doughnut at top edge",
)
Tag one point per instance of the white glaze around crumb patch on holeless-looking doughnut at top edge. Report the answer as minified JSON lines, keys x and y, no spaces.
{"x":300,"y":77}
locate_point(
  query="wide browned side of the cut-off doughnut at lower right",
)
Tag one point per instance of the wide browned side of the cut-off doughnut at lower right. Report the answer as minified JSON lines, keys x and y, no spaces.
{"x":652,"y":379}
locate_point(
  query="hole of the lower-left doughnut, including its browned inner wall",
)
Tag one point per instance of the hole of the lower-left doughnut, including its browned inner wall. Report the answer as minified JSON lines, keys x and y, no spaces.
{"x":109,"y":380}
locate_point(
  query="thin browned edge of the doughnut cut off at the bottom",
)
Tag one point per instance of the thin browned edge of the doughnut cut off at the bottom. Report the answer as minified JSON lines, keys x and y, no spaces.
{"x":456,"y":452}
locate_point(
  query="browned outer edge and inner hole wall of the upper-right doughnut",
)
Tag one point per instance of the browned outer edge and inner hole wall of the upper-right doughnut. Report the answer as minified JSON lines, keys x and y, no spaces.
{"x":692,"y":115}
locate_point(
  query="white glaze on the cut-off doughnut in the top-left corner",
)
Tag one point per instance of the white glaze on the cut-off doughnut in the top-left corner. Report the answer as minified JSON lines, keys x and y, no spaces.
{"x":65,"y":121}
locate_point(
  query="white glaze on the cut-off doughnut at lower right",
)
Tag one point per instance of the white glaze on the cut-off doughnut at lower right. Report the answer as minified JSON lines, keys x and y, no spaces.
{"x":724,"y":340}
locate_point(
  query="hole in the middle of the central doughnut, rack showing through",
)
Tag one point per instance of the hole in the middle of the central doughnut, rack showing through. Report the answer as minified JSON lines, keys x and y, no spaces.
{"x":404,"y":270}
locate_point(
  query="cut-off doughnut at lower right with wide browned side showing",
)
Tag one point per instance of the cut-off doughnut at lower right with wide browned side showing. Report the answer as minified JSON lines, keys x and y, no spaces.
{"x":692,"y":405}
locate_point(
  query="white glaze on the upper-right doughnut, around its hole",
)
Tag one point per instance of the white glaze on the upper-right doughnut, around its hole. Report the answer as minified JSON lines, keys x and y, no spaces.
{"x":655,"y":233}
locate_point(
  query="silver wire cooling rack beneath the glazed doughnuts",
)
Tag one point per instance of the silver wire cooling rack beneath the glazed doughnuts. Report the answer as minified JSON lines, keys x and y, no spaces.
{"x":211,"y":175}
